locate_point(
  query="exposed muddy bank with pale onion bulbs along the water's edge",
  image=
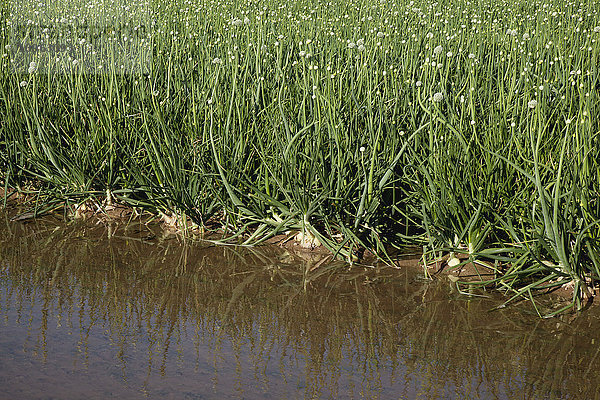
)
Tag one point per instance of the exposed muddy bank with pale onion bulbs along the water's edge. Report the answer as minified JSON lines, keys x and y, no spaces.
{"x":454,"y":268}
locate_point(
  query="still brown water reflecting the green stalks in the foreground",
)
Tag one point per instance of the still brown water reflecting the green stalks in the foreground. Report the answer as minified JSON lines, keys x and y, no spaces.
{"x":92,"y":312}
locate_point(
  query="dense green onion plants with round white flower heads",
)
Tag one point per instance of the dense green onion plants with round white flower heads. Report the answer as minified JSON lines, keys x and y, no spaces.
{"x":462,"y":126}
